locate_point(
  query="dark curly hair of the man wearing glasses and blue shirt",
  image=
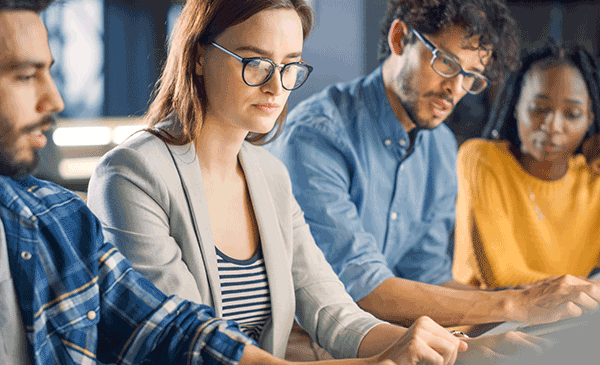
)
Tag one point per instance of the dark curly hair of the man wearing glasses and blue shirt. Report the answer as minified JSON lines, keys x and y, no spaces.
{"x":488,"y":19}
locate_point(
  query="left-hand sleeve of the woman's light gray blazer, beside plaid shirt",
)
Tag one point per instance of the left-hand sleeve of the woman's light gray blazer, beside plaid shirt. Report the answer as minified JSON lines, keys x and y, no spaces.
{"x":132,"y":201}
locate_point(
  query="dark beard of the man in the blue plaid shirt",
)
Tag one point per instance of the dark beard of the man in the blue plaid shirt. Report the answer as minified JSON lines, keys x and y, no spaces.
{"x":9,"y":166}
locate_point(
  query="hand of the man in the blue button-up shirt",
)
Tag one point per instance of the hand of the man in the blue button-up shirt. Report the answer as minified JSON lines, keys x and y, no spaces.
{"x":557,"y":298}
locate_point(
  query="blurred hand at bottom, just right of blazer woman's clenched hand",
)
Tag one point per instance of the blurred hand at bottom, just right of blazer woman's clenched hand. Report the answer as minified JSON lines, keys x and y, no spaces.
{"x":507,"y":347}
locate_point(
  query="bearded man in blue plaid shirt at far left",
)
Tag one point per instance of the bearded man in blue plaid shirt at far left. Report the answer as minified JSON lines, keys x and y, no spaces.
{"x":66,"y":296}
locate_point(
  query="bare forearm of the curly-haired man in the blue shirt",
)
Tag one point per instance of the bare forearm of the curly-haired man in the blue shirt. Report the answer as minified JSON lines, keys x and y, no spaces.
{"x":402,"y":301}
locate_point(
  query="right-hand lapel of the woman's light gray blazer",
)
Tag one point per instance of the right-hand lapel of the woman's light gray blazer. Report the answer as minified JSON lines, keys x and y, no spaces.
{"x":278,"y":273}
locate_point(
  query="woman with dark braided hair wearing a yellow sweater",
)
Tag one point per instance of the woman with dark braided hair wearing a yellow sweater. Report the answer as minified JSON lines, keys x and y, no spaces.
{"x":529,"y":200}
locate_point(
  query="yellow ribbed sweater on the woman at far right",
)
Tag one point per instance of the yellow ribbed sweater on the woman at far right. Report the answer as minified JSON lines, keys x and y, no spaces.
{"x":513,"y":228}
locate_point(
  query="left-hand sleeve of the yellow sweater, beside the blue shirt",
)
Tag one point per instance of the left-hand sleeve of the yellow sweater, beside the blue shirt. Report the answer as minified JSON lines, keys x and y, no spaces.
{"x":489,"y":210}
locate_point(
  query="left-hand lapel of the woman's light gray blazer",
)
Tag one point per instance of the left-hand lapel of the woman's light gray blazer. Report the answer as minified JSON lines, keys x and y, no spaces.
{"x":188,"y":167}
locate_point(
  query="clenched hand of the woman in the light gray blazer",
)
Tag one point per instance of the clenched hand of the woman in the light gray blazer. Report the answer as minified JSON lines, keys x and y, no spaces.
{"x":424,"y":342}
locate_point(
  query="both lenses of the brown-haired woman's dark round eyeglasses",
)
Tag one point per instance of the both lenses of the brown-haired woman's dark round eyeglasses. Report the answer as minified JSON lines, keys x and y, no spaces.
{"x":257,"y":72}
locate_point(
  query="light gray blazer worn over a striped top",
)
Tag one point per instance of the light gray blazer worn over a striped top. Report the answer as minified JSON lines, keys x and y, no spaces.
{"x":150,"y":199}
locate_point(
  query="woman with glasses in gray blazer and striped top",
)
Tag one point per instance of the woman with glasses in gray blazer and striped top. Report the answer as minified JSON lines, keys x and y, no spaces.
{"x":207,"y":214}
